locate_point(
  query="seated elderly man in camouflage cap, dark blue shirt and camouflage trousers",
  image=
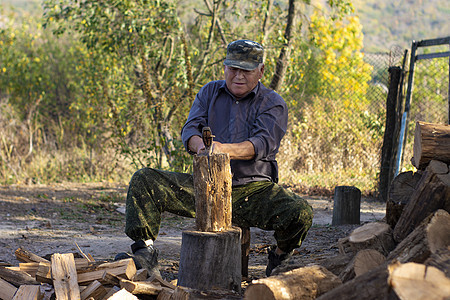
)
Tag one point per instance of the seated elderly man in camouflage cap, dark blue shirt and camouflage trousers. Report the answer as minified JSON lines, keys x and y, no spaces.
{"x":248,"y":121}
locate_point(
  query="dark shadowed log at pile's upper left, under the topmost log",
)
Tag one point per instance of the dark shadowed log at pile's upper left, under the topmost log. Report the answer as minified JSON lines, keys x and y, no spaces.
{"x":400,"y":192}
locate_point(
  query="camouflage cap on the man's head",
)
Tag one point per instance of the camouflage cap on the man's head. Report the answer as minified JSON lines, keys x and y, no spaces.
{"x":244,"y":54}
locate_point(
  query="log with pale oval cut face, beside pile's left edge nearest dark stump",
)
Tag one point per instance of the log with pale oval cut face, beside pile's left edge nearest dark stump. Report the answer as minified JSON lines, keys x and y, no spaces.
{"x":375,"y":235}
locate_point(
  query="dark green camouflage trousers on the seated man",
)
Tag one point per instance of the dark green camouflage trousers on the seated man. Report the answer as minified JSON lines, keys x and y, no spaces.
{"x":261,"y":204}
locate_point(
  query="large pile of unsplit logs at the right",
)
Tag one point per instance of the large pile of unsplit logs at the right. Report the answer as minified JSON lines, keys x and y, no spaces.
{"x":406,"y":256}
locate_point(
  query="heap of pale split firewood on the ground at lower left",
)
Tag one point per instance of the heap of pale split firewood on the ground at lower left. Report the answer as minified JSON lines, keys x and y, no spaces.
{"x":67,"y":277}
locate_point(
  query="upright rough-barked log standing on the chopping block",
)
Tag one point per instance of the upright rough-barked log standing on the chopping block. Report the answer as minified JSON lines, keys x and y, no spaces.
{"x":212,"y":184}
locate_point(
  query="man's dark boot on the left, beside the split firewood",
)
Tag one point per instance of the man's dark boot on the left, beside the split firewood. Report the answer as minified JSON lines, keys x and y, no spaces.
{"x":143,"y":256}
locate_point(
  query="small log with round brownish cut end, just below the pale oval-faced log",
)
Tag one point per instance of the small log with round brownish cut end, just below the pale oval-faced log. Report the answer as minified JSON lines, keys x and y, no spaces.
{"x":364,"y":261}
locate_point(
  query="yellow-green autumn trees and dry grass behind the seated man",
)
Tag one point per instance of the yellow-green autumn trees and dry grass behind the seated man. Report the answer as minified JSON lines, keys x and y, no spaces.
{"x":93,"y":90}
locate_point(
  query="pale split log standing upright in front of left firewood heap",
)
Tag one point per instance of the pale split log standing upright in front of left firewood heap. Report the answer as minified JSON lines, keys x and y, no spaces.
{"x":64,"y":274}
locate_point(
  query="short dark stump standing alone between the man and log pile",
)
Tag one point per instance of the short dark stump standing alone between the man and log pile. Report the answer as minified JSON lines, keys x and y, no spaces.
{"x":347,"y":204}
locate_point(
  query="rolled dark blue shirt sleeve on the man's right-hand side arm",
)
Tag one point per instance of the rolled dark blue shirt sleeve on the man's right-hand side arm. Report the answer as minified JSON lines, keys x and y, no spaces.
{"x":269,"y":128}
